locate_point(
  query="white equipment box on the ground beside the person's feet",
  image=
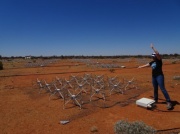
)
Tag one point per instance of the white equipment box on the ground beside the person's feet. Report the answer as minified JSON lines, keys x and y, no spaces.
{"x":145,"y":102}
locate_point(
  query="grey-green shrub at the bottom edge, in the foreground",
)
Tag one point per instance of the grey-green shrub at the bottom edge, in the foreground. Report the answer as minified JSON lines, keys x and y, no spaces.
{"x":137,"y":127}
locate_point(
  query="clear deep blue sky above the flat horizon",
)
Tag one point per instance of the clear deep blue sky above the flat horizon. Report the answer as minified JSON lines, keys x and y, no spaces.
{"x":88,"y":27}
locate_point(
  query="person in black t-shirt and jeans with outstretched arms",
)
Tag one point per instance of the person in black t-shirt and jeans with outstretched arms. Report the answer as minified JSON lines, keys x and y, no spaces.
{"x":158,"y":76}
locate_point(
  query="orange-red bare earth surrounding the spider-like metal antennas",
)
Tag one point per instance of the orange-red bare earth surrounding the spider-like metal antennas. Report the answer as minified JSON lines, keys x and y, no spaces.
{"x":23,"y":110}
